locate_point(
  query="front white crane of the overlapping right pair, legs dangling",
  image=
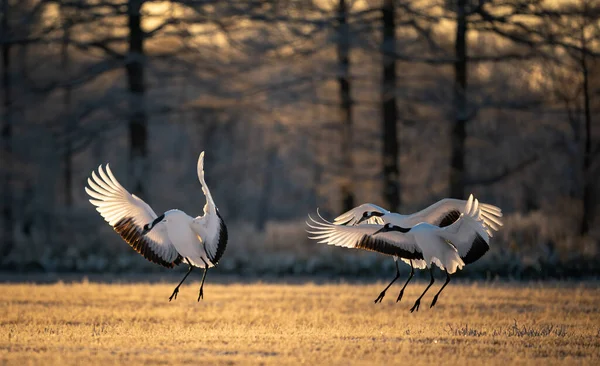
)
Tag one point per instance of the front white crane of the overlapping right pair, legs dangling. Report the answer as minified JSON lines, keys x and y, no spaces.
{"x":428,"y":243}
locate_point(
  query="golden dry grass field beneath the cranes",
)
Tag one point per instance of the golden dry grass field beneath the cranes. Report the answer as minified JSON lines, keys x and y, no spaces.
{"x":88,"y":323}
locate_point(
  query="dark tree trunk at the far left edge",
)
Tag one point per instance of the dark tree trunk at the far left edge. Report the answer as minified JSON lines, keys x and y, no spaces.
{"x":7,"y":209}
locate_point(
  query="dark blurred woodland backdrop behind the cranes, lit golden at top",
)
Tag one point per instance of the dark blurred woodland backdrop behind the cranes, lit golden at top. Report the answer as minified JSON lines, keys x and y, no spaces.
{"x":299,"y":105}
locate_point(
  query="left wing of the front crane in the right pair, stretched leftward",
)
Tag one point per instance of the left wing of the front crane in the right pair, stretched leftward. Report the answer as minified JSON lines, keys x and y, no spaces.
{"x":361,"y":237}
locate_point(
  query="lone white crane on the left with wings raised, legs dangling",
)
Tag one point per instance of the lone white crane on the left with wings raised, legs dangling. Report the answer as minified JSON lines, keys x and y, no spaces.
{"x":167,"y":239}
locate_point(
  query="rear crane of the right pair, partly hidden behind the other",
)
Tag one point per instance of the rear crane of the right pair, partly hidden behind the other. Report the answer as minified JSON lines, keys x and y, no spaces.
{"x":441,"y":213}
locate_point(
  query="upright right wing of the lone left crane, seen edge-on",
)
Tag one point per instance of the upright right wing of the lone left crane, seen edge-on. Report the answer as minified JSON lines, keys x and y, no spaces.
{"x":210,"y":227}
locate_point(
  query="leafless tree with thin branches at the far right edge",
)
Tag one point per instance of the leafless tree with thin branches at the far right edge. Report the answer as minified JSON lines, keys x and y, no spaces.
{"x":575,"y":34}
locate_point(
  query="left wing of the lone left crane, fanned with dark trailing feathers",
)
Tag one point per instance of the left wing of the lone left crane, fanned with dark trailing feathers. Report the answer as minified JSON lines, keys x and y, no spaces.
{"x":128,"y":214}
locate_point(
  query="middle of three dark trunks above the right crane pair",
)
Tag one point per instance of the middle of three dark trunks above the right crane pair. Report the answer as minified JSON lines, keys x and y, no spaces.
{"x":391,"y":170}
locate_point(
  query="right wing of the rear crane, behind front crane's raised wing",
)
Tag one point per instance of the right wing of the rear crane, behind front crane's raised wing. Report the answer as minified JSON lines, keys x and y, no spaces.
{"x":447,"y":211}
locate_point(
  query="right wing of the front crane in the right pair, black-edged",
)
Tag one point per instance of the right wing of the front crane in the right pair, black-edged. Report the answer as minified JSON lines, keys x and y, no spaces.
{"x":468,"y":234}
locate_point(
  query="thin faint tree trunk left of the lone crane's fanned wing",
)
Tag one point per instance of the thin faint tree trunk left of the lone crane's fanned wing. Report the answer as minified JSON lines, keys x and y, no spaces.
{"x":65,"y":64}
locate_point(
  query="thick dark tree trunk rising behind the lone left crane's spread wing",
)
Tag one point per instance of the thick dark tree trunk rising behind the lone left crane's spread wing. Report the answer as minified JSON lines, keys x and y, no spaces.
{"x":135,"y":76}
